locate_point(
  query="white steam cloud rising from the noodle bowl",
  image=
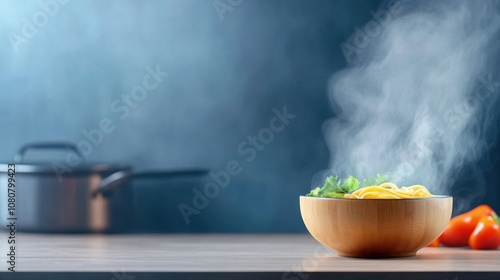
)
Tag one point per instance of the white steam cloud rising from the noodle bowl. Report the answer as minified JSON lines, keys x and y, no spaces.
{"x":418,"y":102}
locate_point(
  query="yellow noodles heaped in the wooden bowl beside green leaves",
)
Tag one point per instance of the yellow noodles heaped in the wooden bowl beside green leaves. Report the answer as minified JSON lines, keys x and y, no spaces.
{"x":390,"y":191}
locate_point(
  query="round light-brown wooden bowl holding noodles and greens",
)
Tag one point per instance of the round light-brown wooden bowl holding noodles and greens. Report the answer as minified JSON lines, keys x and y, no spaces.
{"x":376,"y":228}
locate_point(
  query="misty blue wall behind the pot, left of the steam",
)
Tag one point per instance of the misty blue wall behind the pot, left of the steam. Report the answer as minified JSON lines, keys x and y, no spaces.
{"x":226,"y":73}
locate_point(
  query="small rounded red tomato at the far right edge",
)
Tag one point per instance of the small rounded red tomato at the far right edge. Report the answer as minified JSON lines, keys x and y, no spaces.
{"x":486,"y":236}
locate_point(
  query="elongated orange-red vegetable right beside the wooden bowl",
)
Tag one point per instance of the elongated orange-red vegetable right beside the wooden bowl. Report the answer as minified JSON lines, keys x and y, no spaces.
{"x":460,"y":228}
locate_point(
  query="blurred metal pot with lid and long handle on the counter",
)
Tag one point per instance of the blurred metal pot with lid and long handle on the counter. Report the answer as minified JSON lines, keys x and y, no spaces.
{"x":90,"y":198}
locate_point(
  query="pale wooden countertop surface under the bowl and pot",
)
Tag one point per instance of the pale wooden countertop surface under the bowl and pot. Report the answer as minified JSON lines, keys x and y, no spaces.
{"x":224,"y":253}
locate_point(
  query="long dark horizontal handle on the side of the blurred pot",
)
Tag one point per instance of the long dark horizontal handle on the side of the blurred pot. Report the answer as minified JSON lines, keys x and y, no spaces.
{"x":114,"y":181}
